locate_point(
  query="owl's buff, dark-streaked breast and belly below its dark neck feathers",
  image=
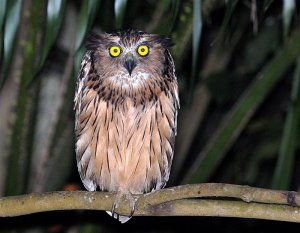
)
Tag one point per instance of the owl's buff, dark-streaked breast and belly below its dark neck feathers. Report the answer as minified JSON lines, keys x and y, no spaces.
{"x":124,"y":139}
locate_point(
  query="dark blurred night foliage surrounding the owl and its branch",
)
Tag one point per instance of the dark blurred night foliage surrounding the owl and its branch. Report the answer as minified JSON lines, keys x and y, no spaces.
{"x":239,"y":92}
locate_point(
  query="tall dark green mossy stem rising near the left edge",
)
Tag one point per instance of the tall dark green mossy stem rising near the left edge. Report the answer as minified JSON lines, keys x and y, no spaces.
{"x":29,"y":46}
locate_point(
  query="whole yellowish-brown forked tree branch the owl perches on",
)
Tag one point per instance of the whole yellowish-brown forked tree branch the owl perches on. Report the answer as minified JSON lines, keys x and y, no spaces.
{"x":224,"y":200}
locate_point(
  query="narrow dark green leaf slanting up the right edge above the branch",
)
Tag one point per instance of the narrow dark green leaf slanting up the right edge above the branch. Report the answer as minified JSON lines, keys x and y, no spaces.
{"x":286,"y":158}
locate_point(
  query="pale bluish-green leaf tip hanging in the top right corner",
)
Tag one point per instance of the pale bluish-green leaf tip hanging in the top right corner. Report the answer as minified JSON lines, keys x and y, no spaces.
{"x":287,"y":13}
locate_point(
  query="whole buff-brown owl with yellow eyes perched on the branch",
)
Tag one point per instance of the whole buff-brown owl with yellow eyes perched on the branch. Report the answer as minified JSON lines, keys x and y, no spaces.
{"x":126,"y":105}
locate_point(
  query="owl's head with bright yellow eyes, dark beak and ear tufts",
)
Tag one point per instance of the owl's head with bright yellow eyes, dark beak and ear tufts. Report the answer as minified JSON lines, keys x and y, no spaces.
{"x":129,"y":53}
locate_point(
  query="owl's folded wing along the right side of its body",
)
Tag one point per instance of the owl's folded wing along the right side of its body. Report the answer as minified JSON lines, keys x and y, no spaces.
{"x":164,"y":127}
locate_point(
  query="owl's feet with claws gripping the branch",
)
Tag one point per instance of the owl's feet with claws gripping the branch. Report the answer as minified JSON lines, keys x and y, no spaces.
{"x":117,"y":202}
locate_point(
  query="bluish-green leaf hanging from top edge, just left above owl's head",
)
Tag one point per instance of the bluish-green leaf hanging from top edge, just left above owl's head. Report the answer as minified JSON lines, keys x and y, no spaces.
{"x":87,"y":15}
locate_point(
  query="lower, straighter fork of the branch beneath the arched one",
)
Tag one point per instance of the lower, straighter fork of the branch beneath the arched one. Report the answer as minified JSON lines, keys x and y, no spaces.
{"x":222,"y":208}
